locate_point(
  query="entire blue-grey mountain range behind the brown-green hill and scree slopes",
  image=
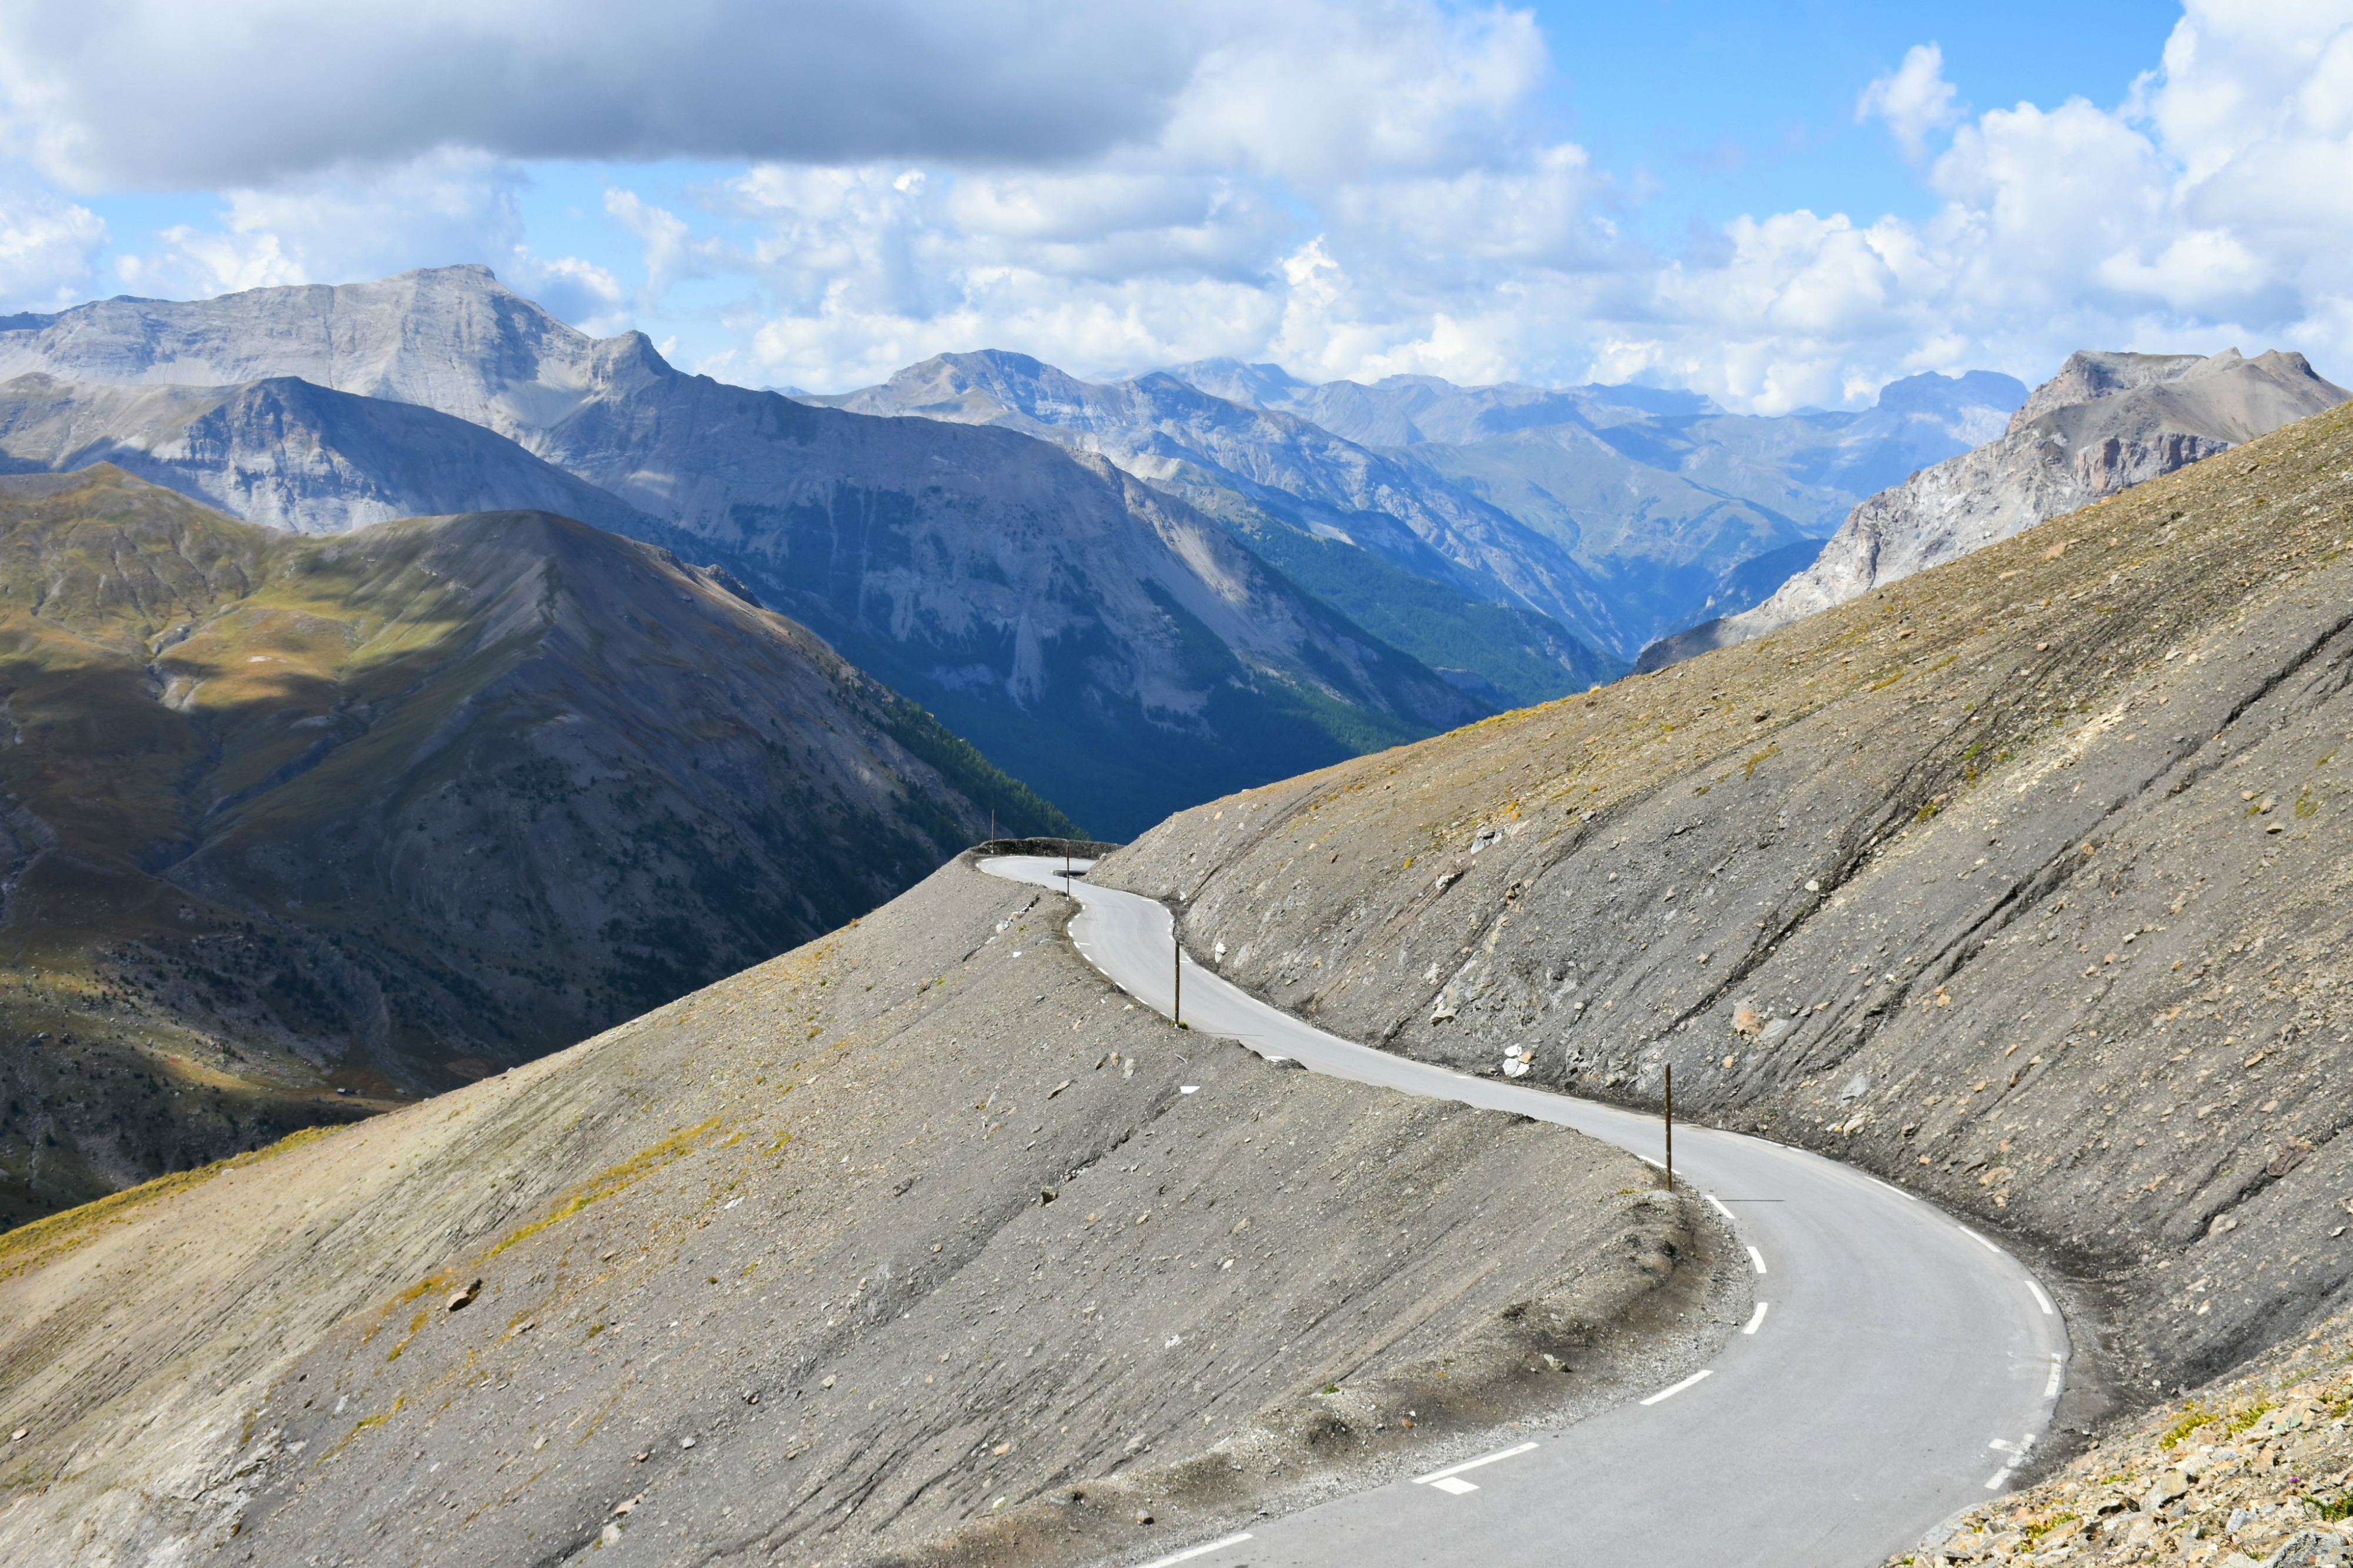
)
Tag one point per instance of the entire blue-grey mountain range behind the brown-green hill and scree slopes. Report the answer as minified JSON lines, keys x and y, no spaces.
{"x":1131,"y":594}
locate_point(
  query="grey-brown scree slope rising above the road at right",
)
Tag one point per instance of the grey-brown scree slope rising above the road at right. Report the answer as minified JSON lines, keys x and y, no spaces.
{"x":2022,"y":882}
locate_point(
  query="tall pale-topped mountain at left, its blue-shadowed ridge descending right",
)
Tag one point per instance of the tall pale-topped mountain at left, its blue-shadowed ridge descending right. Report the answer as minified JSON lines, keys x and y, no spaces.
{"x":1086,"y":632}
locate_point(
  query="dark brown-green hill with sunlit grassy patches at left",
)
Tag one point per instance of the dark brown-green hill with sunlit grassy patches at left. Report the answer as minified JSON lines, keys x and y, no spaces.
{"x":396,"y":809}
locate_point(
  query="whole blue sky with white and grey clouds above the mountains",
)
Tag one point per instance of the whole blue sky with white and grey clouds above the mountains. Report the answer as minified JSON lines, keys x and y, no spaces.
{"x":1773,"y":204}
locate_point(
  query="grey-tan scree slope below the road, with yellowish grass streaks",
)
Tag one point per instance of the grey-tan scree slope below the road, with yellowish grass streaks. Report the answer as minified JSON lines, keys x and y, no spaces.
{"x":820,"y":1265}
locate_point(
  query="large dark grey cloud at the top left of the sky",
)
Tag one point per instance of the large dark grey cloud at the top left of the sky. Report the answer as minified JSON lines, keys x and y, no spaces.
{"x":166,"y":95}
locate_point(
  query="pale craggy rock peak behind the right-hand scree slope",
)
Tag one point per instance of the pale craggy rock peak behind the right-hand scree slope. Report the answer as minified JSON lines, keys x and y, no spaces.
{"x":2102,"y":425}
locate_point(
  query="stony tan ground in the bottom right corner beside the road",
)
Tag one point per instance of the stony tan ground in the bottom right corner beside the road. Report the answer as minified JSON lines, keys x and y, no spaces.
{"x":2248,"y":1473}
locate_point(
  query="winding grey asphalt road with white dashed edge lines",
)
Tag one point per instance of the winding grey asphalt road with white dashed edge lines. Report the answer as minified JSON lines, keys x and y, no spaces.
{"x":1900,"y":1367}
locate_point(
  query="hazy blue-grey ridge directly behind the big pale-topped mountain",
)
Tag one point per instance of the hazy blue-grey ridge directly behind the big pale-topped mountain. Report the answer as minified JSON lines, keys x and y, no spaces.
{"x":1220,"y":453}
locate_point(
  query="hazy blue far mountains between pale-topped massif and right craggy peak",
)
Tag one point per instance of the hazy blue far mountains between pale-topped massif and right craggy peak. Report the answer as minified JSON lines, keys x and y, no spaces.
{"x":1615,"y":512}
